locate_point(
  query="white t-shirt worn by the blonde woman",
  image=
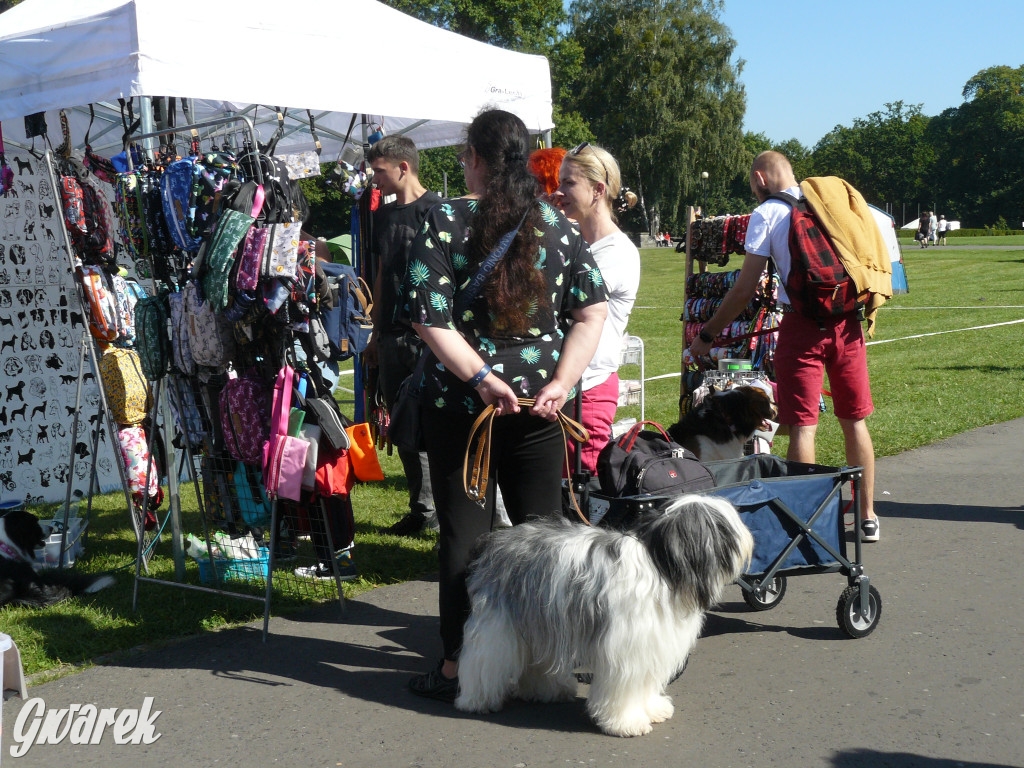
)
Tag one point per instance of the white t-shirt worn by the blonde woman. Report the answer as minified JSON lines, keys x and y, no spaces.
{"x":619,"y":261}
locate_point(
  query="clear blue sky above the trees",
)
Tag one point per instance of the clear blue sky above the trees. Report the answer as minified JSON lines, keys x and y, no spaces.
{"x":813,"y":65}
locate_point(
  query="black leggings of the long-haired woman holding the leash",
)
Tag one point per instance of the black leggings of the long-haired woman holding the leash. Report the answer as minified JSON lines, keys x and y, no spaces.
{"x":527,"y":458}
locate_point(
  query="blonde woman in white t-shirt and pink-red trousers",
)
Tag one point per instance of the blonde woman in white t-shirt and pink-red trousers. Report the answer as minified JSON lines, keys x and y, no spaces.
{"x":590,"y":191}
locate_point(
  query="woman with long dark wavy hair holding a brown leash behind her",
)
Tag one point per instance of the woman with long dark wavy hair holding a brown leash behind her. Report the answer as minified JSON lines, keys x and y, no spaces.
{"x":531,"y":332}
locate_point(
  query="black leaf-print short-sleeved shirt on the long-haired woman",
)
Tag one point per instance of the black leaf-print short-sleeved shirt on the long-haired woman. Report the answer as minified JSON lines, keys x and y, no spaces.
{"x":439,"y":269}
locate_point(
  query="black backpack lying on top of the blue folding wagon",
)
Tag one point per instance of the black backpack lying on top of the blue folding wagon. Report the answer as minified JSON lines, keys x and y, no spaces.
{"x":649,"y":462}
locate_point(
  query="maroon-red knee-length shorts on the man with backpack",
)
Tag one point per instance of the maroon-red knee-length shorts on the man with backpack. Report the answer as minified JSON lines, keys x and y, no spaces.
{"x":804,"y":352}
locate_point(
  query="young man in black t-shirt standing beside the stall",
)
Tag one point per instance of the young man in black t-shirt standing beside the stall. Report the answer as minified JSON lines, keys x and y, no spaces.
{"x":396,"y":348}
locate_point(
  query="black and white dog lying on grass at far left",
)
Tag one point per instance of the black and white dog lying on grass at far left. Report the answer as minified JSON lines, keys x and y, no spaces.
{"x":21,"y":584}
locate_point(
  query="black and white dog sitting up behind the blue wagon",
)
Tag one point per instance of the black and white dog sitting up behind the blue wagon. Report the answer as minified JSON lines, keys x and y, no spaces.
{"x":724,"y":422}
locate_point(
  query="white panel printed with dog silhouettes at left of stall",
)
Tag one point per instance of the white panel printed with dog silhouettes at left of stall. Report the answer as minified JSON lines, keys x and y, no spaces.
{"x":41,"y":325}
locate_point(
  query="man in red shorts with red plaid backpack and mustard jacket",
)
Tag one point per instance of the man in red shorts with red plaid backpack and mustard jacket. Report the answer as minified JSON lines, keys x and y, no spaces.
{"x":820,"y":332}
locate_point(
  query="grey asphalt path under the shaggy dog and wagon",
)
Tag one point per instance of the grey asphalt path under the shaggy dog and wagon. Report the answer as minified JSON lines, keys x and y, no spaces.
{"x":937,"y":686}
